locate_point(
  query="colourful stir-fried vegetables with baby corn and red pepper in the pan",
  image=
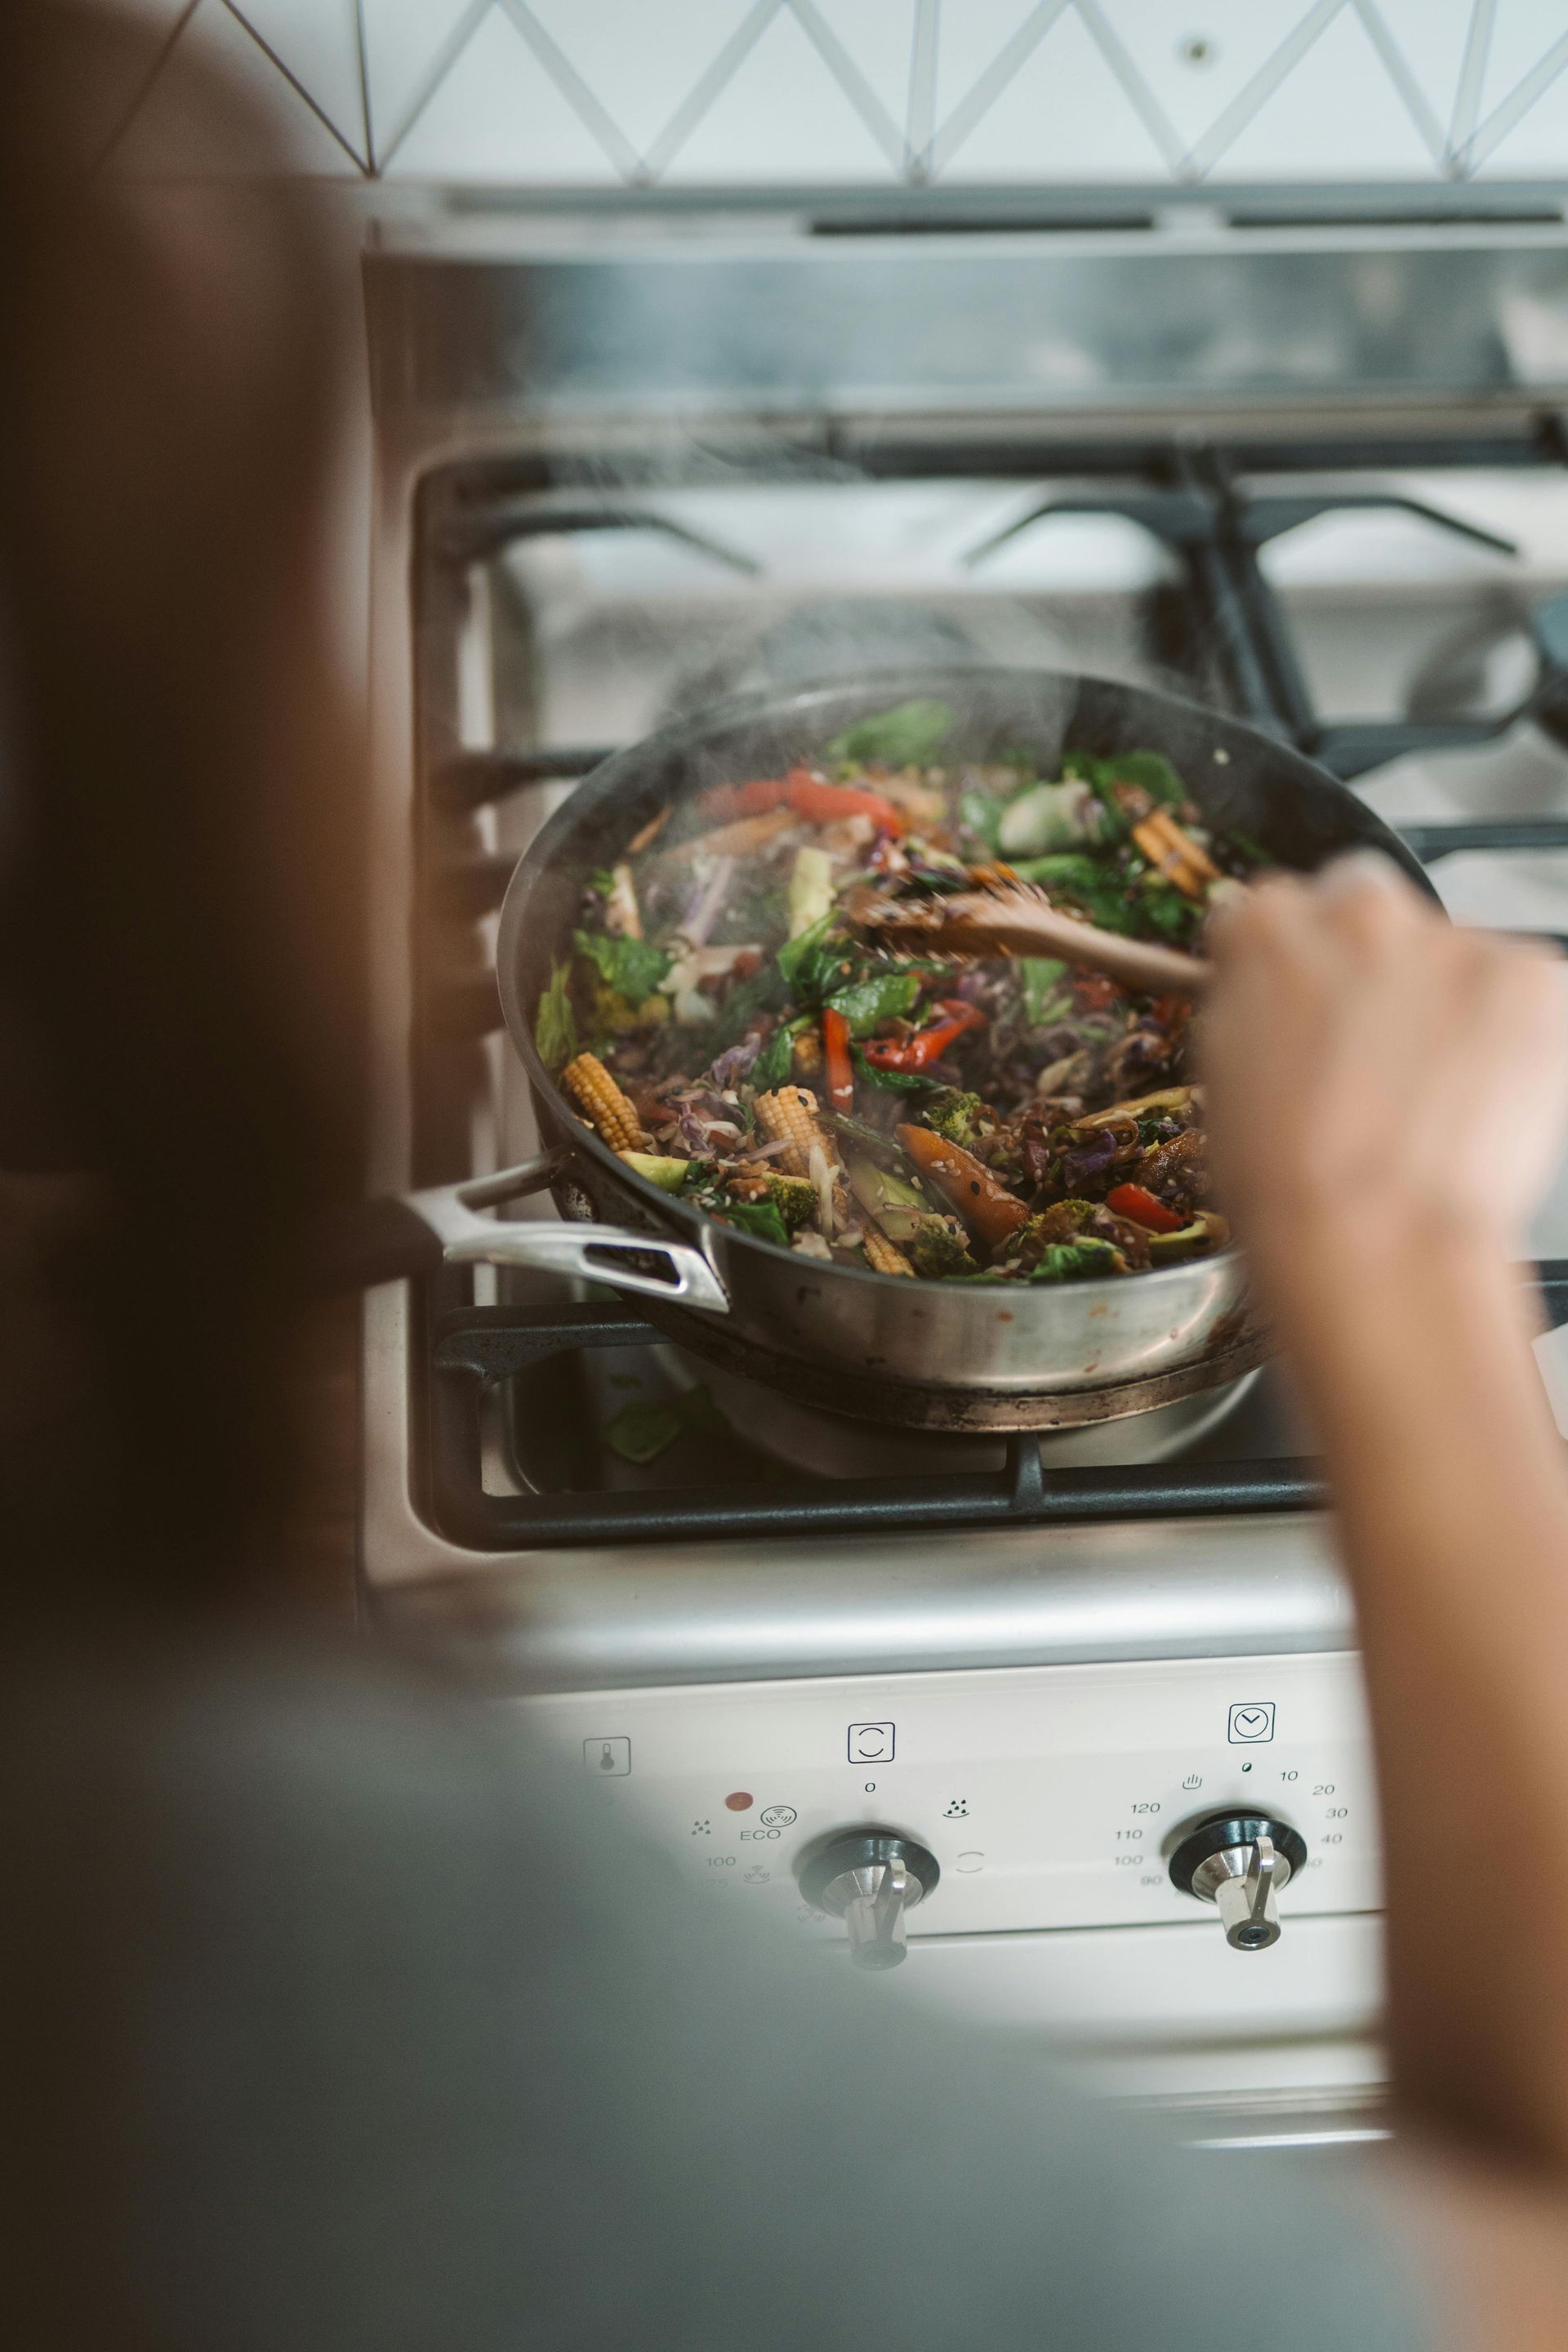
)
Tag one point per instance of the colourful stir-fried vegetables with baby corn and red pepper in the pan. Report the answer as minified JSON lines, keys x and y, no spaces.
{"x":728,"y":1031}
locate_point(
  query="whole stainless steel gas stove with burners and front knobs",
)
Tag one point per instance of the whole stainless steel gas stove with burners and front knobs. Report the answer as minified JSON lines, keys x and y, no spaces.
{"x":1073,"y":1716}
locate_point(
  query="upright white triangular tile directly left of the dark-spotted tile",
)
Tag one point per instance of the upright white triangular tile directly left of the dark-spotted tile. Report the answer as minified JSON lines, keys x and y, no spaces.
{"x":1061,"y":119}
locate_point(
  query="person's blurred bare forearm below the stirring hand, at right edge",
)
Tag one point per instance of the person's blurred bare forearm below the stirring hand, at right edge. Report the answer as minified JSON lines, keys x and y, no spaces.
{"x":1454,"y":1518}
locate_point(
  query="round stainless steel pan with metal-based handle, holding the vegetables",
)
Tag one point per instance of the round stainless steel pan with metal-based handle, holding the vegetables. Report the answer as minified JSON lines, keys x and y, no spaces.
{"x":932,"y":1354}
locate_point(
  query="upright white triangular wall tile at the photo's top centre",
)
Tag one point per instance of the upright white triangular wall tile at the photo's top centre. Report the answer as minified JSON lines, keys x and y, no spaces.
{"x":782,"y":116}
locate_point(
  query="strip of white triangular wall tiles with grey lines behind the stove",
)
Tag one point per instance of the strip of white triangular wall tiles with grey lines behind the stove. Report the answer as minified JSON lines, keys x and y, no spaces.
{"x":862,"y":93}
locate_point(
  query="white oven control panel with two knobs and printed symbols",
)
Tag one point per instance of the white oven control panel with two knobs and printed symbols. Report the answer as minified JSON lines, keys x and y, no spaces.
{"x":1226,"y":1793}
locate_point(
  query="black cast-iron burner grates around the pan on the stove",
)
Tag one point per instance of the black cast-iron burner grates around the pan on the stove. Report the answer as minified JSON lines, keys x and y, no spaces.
{"x":1221,"y":629}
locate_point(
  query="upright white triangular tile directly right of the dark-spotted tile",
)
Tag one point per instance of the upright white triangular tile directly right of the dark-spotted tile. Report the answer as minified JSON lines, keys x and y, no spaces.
{"x":1336,"y":116}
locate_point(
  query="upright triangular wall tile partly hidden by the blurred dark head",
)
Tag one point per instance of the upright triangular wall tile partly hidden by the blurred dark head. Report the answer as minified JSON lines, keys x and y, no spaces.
{"x":173,"y":140}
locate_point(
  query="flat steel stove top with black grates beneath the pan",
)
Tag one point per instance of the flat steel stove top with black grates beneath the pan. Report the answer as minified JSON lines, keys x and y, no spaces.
{"x":1391,"y":599}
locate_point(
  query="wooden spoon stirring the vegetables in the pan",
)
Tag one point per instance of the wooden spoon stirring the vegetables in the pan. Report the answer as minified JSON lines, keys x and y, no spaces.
{"x":1014,"y":918}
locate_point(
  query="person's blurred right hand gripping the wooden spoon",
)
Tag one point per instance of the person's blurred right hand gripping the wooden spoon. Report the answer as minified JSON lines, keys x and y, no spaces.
{"x":1376,"y":1076}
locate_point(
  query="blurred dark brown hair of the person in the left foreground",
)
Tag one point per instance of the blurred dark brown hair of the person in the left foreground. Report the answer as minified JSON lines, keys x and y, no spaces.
{"x":180,"y":834}
